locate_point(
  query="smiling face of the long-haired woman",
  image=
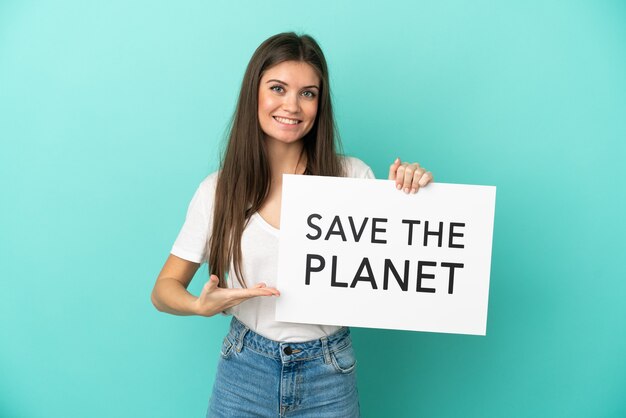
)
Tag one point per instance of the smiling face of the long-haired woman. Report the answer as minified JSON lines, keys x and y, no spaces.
{"x":288,"y":98}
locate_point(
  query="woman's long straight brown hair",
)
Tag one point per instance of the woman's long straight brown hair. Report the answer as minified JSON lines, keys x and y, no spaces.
{"x":244,"y":179}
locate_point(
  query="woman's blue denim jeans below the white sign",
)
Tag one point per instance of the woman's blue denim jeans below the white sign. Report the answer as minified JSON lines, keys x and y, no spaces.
{"x":258,"y":377}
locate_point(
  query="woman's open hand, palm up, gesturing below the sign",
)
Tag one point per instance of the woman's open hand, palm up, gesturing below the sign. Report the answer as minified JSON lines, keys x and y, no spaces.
{"x":214,"y":299}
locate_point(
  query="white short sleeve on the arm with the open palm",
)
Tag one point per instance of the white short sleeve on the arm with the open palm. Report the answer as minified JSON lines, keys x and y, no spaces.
{"x":191,"y":243}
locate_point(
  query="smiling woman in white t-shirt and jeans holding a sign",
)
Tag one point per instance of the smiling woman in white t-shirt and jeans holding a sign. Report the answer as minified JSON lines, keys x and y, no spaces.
{"x":283,"y":124}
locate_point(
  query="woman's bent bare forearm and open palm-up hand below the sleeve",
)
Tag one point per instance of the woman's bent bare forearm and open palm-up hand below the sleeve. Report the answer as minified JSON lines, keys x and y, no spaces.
{"x":170,"y":291}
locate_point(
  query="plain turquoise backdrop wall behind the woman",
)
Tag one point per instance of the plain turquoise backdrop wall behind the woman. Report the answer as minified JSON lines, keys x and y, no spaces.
{"x":111,"y":113}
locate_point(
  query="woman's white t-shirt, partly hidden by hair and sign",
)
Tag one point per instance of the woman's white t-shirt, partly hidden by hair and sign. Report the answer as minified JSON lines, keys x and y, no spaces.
{"x":259,"y":247}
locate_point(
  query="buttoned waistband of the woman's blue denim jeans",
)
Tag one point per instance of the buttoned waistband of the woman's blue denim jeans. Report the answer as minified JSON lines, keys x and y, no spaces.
{"x":241,"y":336}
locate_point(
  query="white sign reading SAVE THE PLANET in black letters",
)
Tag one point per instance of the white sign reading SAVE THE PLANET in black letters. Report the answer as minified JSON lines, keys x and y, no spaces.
{"x":360,"y":253}
